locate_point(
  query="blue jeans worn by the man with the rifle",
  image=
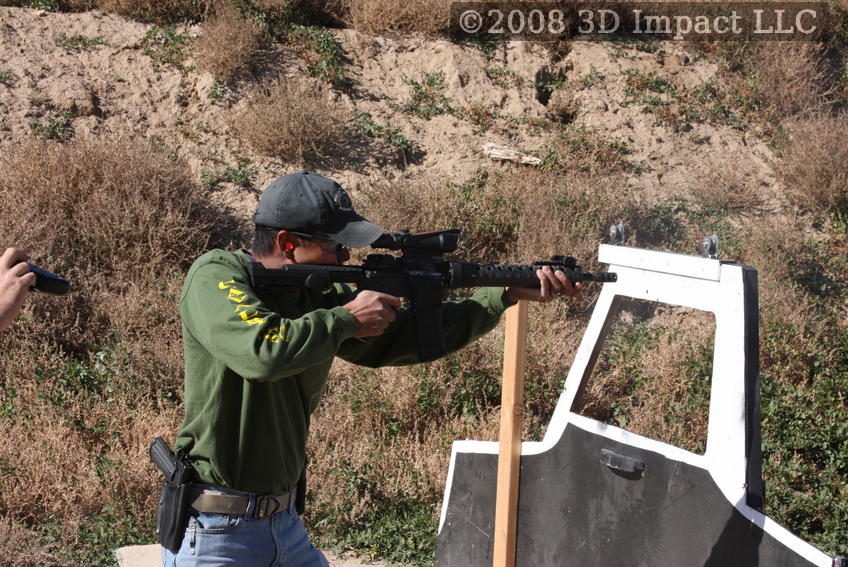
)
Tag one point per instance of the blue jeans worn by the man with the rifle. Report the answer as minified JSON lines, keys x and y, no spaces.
{"x":213,"y":540}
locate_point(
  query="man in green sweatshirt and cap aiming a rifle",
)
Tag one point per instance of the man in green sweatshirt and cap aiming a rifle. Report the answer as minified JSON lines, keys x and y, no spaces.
{"x":256,"y":368}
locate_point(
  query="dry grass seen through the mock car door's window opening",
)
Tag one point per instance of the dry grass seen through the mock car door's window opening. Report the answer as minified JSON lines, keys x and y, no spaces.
{"x":653,"y":374}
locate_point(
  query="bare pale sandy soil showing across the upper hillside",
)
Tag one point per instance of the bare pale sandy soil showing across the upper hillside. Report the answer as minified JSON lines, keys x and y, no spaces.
{"x":113,"y":87}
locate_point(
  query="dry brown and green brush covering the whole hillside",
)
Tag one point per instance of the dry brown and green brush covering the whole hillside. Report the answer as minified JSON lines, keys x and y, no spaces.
{"x":86,"y":381}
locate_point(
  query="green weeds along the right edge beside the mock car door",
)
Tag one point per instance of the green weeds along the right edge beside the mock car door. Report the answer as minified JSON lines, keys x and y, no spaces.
{"x":805,"y":440}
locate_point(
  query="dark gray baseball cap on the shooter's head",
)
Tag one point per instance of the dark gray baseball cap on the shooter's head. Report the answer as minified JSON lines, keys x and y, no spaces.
{"x":308,"y":201}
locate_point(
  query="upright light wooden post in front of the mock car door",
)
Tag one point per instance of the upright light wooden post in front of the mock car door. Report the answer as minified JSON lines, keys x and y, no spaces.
{"x":509,"y":455}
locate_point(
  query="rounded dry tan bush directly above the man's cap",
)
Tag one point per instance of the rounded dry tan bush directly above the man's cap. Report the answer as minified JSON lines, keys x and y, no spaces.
{"x":293,"y":121}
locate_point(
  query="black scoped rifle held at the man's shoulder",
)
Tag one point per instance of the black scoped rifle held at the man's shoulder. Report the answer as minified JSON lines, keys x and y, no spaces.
{"x":421,"y":275}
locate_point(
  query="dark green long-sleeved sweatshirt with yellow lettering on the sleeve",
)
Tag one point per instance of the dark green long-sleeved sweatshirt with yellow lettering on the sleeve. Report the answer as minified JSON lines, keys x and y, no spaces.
{"x":255,"y":369}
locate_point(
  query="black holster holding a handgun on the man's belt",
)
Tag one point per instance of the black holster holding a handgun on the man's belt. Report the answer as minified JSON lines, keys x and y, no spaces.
{"x":172,"y":512}
